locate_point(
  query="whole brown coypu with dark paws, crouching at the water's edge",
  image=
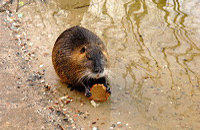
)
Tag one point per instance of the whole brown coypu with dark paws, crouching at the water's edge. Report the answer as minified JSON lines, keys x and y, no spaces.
{"x":79,"y":58}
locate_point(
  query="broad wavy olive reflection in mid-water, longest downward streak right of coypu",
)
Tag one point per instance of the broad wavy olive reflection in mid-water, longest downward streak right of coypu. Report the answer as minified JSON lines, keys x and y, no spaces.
{"x":135,"y":11}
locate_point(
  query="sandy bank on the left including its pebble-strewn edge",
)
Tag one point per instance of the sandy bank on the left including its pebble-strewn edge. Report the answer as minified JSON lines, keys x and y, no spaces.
{"x":20,"y":108}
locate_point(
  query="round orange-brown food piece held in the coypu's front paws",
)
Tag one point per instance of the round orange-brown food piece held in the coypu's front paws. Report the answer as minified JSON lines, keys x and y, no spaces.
{"x":99,"y":93}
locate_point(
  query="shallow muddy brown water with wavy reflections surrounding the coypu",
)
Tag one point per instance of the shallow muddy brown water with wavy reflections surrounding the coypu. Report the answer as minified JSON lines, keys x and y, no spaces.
{"x":154,"y":48}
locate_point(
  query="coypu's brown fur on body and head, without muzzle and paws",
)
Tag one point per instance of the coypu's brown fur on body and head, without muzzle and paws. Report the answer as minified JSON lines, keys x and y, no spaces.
{"x":69,"y":59}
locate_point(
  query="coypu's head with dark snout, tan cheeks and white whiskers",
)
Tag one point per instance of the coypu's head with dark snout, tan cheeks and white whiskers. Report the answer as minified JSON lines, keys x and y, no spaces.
{"x":92,"y":60}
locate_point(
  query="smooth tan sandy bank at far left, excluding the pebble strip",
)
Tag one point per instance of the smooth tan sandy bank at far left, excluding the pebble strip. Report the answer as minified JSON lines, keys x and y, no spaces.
{"x":18,"y":108}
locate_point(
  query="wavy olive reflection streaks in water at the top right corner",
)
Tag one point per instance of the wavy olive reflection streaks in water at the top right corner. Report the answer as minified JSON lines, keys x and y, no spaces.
{"x":180,"y":34}
